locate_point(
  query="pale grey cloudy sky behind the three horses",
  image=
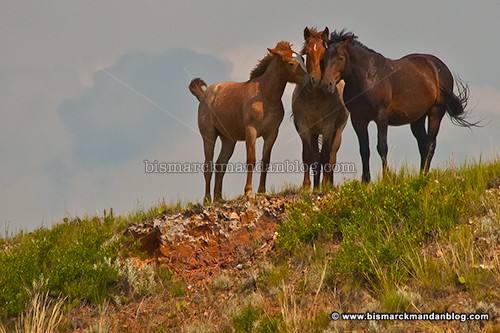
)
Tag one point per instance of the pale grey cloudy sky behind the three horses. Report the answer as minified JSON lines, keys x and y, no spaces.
{"x":90,"y":90}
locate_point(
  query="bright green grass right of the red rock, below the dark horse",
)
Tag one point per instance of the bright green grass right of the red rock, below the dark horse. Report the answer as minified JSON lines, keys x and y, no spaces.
{"x":382,"y":223}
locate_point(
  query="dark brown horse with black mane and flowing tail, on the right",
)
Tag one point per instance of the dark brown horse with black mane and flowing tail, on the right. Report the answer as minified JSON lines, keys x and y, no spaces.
{"x":393,"y":92}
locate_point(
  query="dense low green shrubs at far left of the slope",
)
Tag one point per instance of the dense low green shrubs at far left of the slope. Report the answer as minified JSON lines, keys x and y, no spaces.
{"x":73,"y":256}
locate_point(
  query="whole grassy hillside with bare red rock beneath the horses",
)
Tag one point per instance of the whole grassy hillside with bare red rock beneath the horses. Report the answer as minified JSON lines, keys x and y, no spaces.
{"x":408,"y":243}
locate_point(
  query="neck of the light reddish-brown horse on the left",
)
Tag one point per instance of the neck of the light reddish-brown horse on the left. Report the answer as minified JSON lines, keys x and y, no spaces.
{"x":272,"y":82}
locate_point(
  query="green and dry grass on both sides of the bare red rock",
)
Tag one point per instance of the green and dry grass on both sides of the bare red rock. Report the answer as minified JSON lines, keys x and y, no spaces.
{"x":405,"y":240}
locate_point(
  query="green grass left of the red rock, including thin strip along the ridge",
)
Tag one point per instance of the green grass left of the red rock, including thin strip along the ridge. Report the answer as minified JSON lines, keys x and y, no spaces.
{"x":80,"y":259}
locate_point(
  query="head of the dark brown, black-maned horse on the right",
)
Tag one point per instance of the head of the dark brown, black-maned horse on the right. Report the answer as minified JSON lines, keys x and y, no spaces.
{"x":336,"y":63}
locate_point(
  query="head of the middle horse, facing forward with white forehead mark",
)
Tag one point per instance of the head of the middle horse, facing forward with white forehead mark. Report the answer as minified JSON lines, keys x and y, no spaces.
{"x":315,"y":44}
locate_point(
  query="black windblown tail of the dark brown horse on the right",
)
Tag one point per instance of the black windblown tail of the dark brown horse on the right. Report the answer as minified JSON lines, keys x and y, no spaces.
{"x":456,"y":104}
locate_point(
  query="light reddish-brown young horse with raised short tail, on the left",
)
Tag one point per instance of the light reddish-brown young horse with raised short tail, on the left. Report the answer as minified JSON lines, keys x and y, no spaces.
{"x":244,"y":111}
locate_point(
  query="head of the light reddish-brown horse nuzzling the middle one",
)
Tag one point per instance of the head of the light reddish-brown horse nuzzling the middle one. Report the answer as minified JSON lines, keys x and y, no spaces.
{"x":292,"y":62}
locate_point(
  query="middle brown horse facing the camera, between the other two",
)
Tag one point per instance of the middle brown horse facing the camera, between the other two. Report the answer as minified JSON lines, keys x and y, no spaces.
{"x":318,"y":113}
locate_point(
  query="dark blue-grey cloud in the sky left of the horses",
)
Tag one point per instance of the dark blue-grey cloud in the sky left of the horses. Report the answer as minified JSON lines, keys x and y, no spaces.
{"x":135,"y":106}
